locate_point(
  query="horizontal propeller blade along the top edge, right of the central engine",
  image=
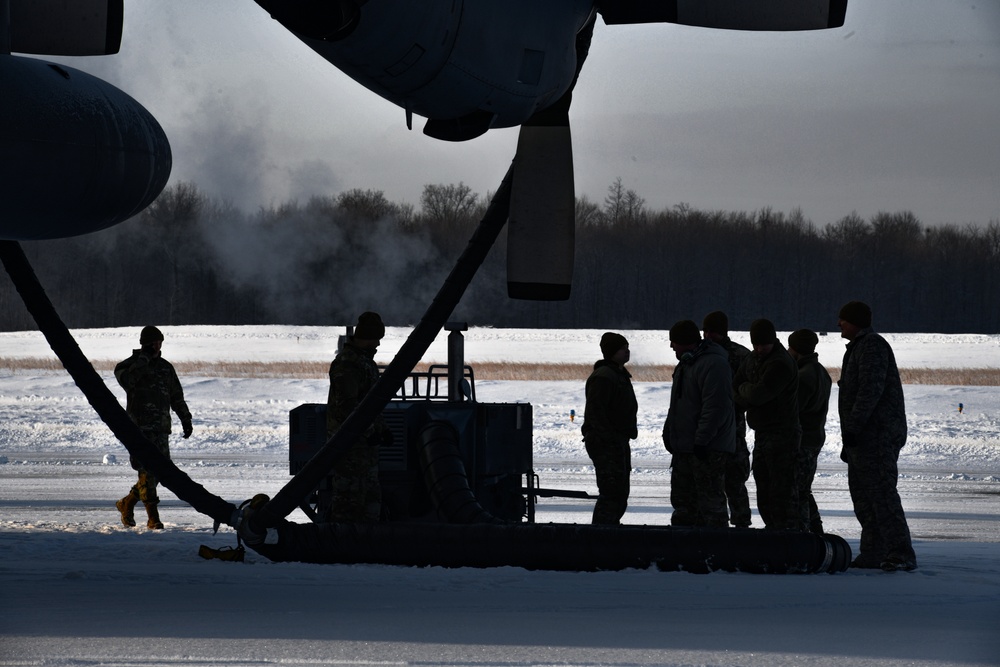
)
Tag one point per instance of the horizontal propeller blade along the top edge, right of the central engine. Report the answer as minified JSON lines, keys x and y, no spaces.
{"x":763,"y":15}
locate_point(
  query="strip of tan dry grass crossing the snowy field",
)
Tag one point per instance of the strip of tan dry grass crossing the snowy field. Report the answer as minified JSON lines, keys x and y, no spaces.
{"x":983,"y":377}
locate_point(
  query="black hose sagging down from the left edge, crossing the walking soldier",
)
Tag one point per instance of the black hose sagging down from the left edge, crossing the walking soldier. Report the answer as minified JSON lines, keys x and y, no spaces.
{"x":100,"y":397}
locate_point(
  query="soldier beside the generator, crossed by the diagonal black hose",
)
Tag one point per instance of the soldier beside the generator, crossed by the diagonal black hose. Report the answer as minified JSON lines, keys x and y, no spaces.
{"x":356,"y":491}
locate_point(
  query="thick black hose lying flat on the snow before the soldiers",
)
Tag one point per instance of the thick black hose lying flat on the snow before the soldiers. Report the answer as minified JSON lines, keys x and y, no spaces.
{"x":566,"y":547}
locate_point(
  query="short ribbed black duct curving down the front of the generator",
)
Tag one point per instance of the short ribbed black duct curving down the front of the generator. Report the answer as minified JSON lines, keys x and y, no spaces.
{"x":446,"y":478}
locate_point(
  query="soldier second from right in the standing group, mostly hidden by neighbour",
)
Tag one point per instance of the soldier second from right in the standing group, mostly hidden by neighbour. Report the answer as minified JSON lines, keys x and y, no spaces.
{"x":814,"y":400}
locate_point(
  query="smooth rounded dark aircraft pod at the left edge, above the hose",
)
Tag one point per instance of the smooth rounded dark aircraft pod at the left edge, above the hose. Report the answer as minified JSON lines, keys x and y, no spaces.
{"x":76,"y":154}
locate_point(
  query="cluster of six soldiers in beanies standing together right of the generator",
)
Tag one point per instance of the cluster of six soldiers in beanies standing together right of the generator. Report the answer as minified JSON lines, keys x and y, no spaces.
{"x":719,"y":388}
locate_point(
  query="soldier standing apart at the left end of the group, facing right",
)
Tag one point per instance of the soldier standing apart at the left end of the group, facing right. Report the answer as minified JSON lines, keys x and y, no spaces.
{"x":609,"y":422}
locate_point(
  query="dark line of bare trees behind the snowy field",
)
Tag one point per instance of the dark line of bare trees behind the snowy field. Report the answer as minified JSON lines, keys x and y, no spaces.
{"x":188,"y":259}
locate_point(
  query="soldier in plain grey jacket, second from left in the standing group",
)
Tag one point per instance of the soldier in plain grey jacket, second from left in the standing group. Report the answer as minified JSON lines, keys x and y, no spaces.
{"x":700,"y":429}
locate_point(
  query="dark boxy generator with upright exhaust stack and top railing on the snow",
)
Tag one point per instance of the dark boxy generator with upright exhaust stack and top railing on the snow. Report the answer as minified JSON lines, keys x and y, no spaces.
{"x":451,"y":459}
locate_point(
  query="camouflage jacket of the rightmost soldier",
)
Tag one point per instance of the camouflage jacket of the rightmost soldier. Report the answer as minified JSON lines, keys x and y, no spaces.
{"x":871,"y":393}
